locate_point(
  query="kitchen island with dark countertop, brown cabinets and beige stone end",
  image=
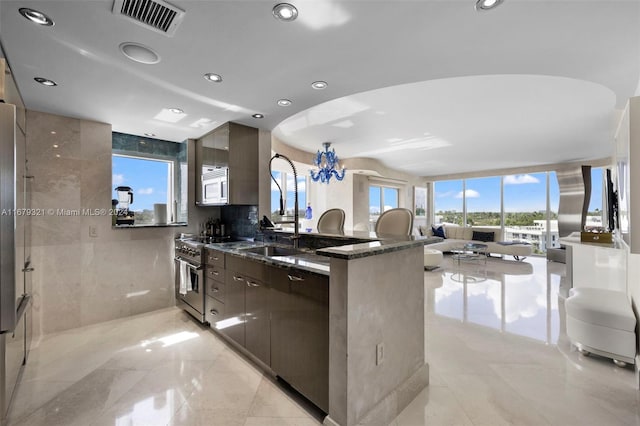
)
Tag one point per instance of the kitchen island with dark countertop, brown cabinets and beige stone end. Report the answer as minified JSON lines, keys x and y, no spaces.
{"x":373,"y":320}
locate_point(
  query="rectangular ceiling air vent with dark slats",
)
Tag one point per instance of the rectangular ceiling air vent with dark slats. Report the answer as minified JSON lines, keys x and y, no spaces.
{"x":156,"y":15}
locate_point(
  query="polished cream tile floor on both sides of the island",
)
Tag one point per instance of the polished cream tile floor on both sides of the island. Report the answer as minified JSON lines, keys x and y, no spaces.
{"x":495,"y":344}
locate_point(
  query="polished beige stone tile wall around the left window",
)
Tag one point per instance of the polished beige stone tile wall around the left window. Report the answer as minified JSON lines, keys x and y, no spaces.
{"x":81,"y":279}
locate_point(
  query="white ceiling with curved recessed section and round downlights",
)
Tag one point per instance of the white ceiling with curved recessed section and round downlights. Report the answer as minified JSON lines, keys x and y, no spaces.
{"x":427,"y":87}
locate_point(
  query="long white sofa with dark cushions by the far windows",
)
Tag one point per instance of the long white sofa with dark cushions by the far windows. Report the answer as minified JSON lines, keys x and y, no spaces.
{"x":457,"y":236}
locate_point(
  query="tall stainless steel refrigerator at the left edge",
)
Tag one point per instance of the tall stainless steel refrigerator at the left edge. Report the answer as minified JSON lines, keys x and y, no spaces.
{"x":15,"y":262}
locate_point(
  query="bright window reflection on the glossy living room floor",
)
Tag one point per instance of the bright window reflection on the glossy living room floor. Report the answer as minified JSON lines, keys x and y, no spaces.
{"x":510,"y":296}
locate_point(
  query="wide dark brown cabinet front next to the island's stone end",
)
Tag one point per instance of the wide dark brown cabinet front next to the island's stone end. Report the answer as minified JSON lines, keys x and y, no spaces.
{"x":300,"y":332}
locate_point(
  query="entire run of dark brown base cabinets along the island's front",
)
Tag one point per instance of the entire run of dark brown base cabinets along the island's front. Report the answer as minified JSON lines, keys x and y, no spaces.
{"x":278,"y":314}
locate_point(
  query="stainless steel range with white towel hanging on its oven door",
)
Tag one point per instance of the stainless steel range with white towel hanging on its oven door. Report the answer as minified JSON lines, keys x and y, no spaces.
{"x":189,"y":277}
